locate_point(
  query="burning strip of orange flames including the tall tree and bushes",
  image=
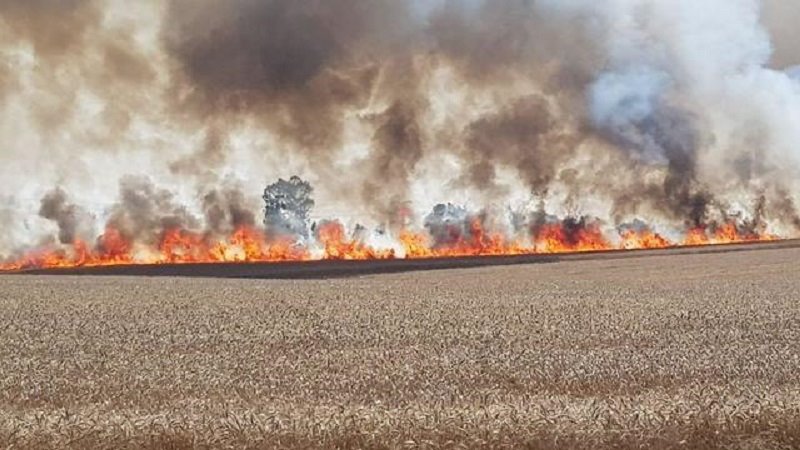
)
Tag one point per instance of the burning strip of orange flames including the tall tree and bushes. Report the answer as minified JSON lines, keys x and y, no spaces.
{"x":289,"y":234}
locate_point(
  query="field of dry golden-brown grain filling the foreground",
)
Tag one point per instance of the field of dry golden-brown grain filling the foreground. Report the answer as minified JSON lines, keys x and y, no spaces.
{"x":691,"y":351}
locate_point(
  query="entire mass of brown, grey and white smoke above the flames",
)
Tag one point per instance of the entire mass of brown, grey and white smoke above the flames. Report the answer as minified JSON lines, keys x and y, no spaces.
{"x":155,"y":114}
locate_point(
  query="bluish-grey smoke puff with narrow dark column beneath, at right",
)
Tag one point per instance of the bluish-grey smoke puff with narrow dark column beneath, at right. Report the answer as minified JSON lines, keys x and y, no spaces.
{"x":629,"y":109}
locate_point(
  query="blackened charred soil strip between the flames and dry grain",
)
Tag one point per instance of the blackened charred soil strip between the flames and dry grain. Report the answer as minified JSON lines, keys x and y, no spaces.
{"x":344,"y":269}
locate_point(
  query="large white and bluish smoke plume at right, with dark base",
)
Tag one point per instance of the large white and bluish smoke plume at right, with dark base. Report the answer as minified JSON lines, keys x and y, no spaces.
{"x":688,"y":88}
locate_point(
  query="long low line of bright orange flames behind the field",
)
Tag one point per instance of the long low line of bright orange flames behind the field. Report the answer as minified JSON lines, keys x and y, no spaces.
{"x":250,"y":244}
